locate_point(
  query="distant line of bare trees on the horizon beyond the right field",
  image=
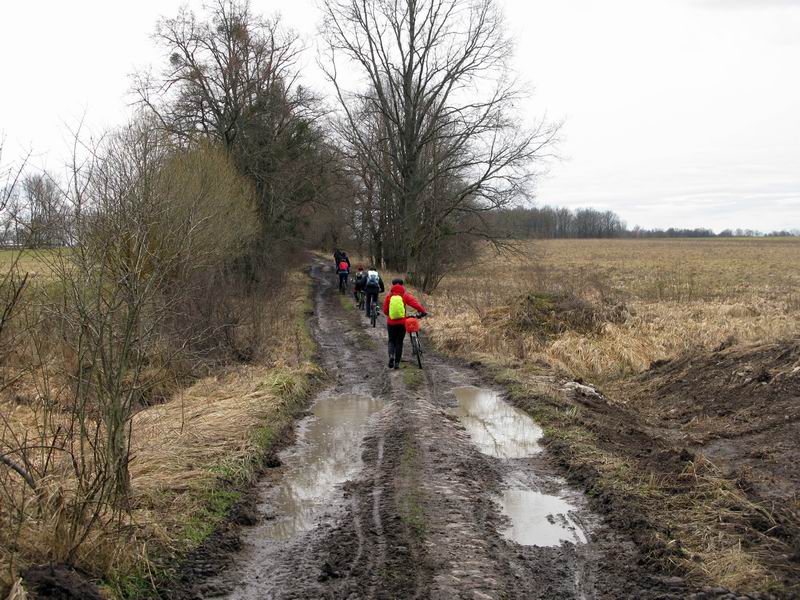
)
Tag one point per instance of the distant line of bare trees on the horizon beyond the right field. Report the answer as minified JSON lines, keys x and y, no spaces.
{"x":548,"y":222}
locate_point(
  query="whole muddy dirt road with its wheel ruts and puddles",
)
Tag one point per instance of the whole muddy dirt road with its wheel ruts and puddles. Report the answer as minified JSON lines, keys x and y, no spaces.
{"x":409,"y":484}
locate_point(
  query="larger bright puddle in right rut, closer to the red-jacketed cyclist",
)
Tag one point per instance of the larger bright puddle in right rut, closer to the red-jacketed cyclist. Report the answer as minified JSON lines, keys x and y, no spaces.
{"x":496,"y":427}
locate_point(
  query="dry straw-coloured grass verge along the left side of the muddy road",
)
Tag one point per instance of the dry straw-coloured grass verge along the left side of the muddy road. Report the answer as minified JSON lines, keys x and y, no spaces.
{"x":189,"y":454}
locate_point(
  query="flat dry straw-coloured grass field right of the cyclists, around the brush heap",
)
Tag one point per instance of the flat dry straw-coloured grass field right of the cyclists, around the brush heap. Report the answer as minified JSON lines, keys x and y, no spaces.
{"x":678,"y":295}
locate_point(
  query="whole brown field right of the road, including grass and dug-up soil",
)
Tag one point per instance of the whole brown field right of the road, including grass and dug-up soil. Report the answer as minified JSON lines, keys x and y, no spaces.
{"x":692,"y":449}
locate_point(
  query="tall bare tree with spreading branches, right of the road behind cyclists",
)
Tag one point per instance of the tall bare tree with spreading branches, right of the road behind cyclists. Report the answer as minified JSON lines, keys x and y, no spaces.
{"x":442,"y":97}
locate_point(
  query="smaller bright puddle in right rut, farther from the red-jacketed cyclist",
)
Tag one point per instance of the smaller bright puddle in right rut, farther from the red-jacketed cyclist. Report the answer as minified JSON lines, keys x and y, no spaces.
{"x":539,"y":519}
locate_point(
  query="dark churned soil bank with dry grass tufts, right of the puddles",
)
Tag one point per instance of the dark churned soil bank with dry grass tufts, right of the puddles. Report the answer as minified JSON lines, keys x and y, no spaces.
{"x":717,"y":434}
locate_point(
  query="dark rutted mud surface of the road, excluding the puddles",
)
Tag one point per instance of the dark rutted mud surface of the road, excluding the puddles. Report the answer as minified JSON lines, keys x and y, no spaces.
{"x":421,"y":518}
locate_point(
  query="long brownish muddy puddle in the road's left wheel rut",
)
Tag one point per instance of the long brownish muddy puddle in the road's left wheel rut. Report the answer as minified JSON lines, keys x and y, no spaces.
{"x":327,"y":454}
